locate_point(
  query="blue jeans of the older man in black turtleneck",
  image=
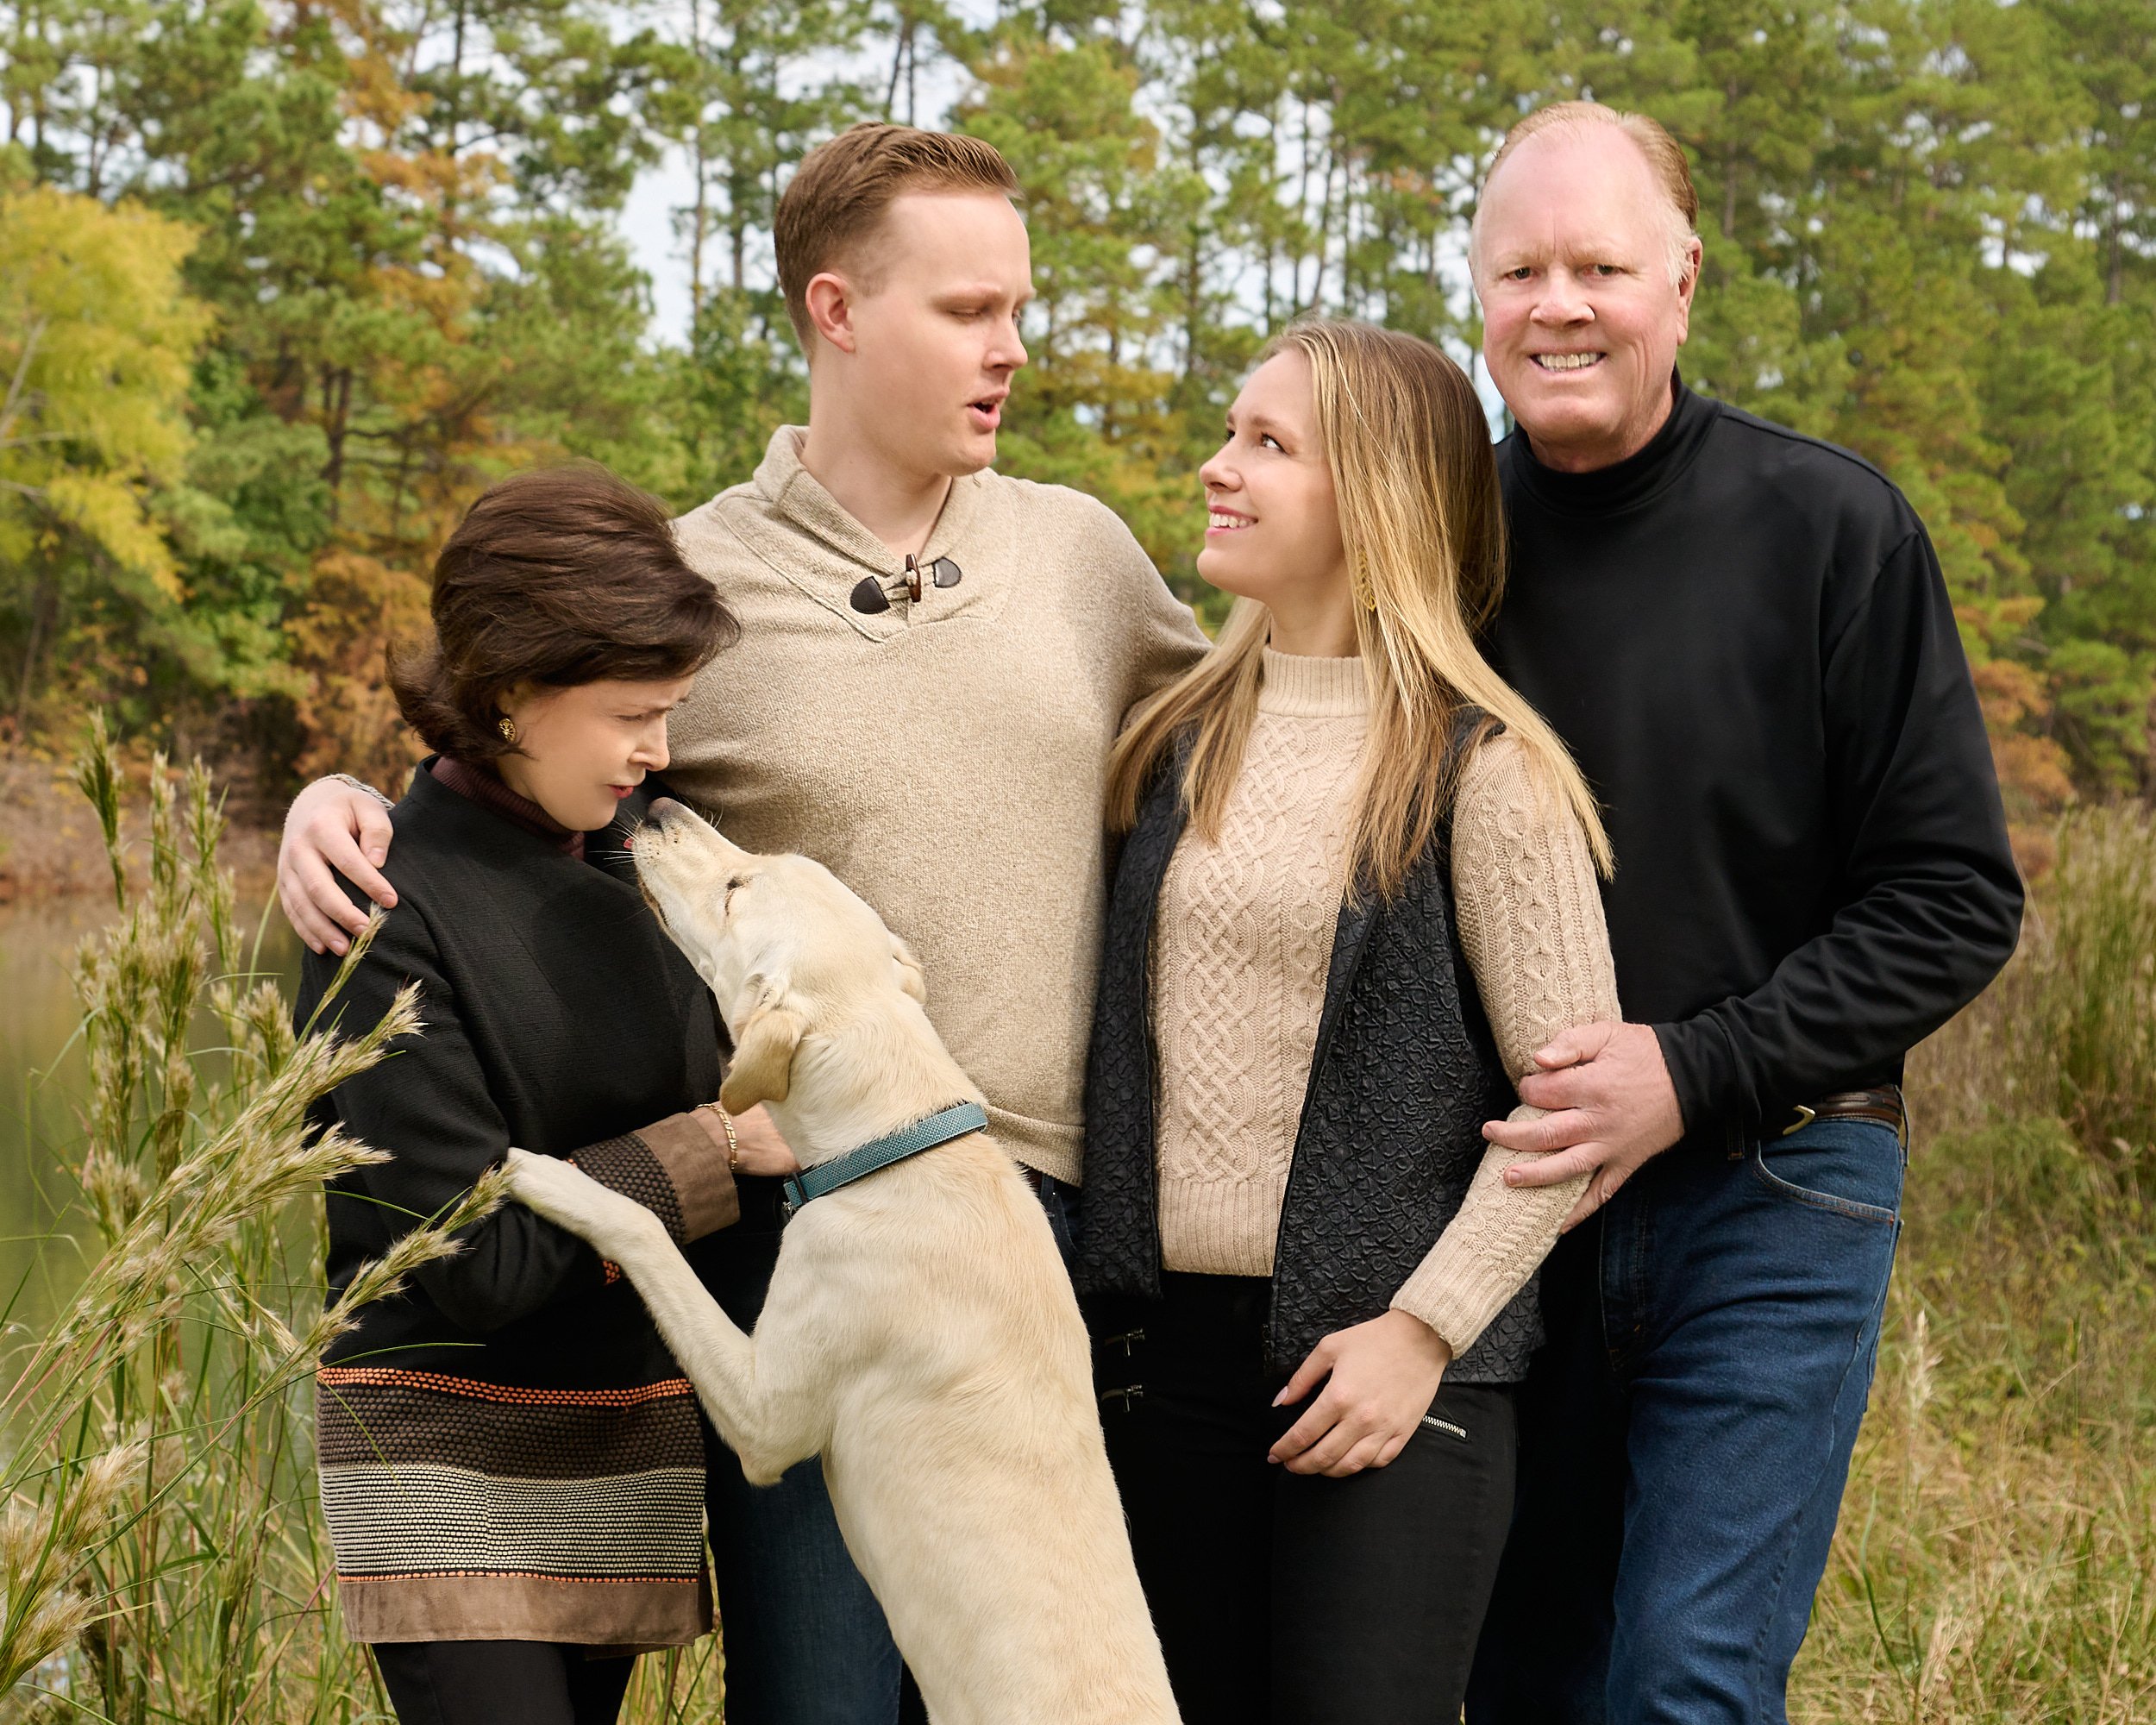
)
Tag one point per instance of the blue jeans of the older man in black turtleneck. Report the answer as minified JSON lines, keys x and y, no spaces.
{"x":1687,"y":1433}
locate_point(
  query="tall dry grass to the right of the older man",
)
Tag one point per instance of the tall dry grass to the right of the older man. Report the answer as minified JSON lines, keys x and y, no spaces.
{"x":1998,"y":1549}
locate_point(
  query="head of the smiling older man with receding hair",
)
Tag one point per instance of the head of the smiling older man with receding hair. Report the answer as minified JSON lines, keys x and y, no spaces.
{"x":1586,"y":262}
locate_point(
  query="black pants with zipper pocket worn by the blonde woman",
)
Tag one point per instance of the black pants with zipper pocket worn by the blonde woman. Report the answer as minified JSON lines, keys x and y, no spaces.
{"x":1290,"y":1597}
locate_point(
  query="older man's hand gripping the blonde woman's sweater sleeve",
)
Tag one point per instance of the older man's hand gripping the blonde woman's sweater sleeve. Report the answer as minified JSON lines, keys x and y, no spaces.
{"x":1609,"y":1109}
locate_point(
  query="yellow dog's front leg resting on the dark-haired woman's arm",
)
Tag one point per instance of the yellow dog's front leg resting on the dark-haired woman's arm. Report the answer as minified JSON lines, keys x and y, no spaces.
{"x":769,"y":1433}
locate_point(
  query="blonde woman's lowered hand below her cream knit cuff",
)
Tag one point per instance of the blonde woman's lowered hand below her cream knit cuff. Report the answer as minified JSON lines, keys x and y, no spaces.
{"x":1383,"y":1379}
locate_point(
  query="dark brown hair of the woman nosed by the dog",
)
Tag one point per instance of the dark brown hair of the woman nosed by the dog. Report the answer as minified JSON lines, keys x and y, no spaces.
{"x":557,"y":577}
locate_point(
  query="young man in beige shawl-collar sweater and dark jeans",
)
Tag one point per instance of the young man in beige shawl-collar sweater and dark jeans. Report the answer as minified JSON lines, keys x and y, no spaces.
{"x":935,"y":663}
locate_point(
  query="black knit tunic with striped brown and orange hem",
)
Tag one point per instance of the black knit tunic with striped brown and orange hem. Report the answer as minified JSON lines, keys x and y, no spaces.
{"x":508,"y":1450}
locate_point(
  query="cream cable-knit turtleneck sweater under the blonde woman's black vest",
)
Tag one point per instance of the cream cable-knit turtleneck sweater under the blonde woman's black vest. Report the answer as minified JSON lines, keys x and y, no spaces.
{"x":1241,"y":954}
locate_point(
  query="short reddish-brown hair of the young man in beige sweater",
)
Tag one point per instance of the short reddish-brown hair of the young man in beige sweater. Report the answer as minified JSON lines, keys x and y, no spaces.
{"x":842,"y":191}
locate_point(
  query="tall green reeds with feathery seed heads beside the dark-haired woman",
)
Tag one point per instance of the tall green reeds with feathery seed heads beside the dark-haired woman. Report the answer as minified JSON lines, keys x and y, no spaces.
{"x":161,"y":1543}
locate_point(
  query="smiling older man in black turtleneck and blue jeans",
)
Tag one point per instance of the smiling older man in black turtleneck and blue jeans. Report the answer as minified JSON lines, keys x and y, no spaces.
{"x":1747,"y":641}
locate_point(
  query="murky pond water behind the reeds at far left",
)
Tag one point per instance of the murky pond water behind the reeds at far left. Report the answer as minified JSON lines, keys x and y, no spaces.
{"x":42,"y":1081}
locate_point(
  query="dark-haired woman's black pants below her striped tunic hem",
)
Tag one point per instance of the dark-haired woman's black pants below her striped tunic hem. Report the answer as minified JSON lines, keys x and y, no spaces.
{"x":501,"y":1683}
